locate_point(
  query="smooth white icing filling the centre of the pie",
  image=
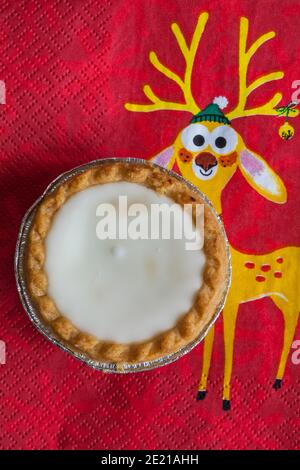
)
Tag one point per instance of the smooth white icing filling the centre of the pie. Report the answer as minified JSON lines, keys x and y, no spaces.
{"x":118,"y":290}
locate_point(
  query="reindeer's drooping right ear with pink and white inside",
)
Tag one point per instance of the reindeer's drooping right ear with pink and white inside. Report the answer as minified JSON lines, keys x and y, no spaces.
{"x":261,"y":177}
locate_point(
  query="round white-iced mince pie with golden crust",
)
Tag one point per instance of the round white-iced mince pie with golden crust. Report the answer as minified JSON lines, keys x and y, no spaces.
{"x":122,"y":299}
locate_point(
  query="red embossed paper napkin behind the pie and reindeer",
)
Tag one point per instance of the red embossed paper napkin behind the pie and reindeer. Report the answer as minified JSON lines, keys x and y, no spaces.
{"x":69,"y":67}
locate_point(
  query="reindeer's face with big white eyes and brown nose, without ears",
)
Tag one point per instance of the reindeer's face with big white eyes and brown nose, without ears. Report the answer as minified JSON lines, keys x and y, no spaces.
{"x":207,"y":150}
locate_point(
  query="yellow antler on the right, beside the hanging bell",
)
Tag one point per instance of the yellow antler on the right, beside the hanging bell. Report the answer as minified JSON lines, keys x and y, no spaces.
{"x":244,"y":90}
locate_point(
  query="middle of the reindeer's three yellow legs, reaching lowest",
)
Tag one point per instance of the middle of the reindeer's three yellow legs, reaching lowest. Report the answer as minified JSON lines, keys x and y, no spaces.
{"x":229,"y":320}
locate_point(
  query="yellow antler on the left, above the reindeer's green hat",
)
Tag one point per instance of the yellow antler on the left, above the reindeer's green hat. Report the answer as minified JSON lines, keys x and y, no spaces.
{"x":189,"y":54}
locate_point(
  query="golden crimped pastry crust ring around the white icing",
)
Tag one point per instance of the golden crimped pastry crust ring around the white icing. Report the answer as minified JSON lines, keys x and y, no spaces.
{"x":191,"y":324}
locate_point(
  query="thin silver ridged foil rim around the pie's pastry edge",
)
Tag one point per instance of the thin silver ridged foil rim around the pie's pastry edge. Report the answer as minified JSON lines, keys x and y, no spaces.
{"x":48,"y":332}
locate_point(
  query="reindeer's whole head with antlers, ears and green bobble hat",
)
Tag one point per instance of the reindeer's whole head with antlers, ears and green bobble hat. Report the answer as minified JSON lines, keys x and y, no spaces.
{"x":209,"y":152}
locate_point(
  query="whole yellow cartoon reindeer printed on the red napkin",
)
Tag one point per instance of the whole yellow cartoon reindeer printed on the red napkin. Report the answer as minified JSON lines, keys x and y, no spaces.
{"x":208,"y":152}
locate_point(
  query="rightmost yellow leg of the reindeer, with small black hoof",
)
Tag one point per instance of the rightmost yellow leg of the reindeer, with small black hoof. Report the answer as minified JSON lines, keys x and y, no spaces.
{"x":290,"y":316}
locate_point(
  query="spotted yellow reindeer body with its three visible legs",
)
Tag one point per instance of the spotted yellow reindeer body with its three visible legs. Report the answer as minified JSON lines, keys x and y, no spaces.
{"x":273,"y":275}
